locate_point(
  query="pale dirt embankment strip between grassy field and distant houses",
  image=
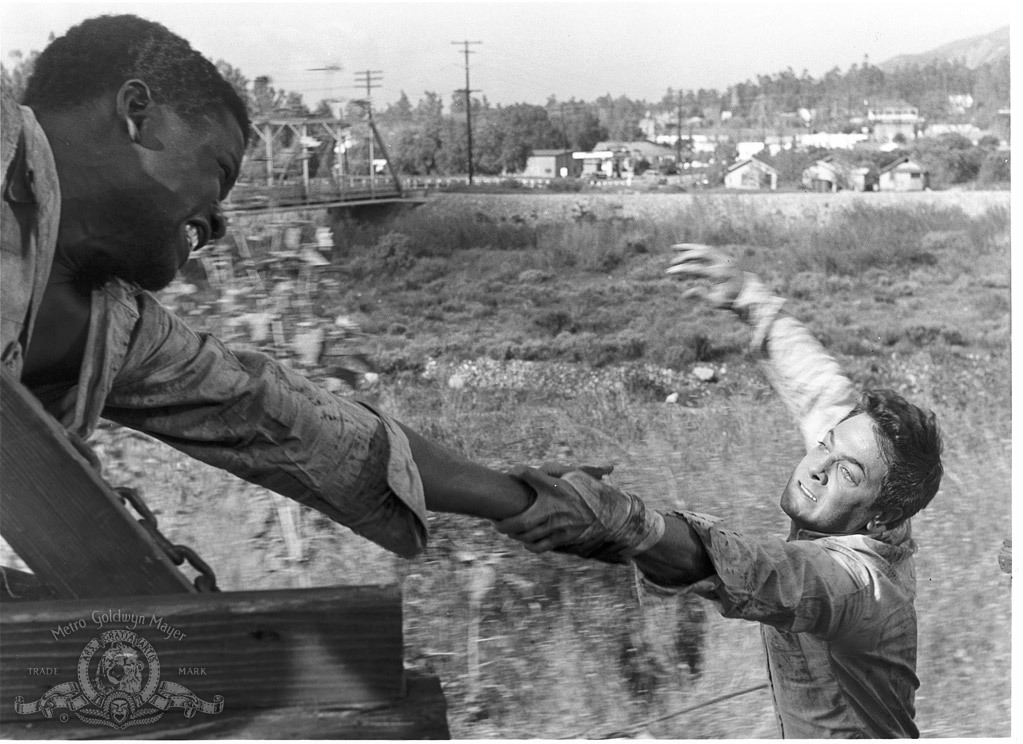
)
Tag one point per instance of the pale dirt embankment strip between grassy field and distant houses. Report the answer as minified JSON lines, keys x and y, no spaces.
{"x":557,"y":207}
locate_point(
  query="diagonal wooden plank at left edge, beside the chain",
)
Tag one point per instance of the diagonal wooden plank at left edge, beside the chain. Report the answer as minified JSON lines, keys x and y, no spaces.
{"x":60,"y":516}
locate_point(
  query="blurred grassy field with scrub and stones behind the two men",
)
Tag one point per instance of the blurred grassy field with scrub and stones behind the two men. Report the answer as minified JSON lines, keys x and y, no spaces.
{"x":518,"y":329}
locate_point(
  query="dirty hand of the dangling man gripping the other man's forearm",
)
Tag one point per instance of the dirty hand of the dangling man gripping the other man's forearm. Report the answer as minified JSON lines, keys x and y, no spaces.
{"x":576,"y":513}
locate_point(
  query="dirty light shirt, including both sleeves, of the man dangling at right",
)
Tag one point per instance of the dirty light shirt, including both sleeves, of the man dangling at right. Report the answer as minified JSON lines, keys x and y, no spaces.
{"x":837,"y":612}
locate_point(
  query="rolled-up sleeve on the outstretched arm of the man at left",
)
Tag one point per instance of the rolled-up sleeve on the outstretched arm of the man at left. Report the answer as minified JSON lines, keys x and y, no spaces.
{"x":250,"y":415}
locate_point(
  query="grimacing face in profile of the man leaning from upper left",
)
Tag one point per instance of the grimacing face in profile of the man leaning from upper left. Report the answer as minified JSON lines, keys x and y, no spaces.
{"x":162,"y":202}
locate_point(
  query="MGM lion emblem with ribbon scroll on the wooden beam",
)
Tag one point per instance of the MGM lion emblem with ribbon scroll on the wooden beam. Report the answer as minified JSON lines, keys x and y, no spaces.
{"x":119,"y":686}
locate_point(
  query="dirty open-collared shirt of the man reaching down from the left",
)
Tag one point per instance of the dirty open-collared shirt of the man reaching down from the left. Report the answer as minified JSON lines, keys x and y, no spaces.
{"x":239,"y":411}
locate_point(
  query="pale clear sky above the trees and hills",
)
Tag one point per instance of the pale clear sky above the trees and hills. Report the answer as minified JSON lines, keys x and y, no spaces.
{"x":530,"y":51}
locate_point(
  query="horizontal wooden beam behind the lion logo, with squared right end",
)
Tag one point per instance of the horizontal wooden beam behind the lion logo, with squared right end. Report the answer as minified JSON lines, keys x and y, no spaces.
{"x":319,"y":648}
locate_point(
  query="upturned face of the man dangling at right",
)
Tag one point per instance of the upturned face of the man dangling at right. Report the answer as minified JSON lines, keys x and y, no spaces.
{"x":835,"y":487}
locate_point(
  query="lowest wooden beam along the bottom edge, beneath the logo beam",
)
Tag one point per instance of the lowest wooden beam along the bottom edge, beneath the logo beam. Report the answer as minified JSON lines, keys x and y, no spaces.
{"x":421,"y":715}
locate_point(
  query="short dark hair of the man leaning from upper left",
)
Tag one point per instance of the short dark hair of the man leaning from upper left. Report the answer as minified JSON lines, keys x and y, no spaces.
{"x":102,"y":54}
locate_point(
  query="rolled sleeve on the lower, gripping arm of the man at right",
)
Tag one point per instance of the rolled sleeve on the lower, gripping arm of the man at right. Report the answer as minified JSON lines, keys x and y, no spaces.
{"x":798,"y":586}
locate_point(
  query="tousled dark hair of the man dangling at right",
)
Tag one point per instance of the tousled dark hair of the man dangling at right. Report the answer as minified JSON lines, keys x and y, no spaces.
{"x":911,"y":446}
